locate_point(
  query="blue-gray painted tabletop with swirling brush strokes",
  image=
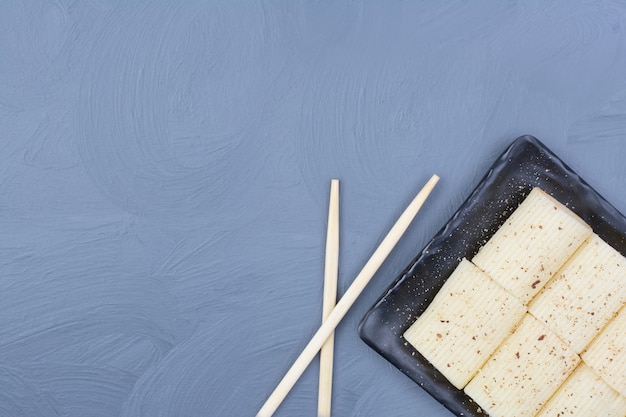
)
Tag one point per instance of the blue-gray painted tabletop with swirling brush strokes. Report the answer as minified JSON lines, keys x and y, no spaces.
{"x":164,"y":172}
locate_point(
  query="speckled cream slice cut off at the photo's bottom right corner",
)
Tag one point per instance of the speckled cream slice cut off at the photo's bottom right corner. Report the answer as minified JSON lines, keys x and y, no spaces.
{"x":585,"y":394}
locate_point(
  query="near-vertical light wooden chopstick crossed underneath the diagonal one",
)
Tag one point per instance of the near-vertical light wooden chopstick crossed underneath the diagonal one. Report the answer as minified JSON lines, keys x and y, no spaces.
{"x":330,"y":297}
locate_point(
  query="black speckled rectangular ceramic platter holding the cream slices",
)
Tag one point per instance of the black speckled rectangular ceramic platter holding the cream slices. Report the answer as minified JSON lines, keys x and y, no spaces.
{"x":526,"y":164}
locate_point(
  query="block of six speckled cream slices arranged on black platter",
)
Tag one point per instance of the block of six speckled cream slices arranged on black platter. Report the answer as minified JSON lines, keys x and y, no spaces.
{"x":535,"y":323}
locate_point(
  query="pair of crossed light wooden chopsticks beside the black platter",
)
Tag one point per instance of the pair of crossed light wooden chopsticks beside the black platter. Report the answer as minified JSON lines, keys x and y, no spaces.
{"x":337,"y":313}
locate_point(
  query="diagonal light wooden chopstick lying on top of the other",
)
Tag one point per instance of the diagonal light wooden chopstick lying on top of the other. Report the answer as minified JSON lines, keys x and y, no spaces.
{"x":346,"y":301}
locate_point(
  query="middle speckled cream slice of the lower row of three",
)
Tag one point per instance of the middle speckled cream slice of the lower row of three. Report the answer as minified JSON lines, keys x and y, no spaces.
{"x":523,"y":372}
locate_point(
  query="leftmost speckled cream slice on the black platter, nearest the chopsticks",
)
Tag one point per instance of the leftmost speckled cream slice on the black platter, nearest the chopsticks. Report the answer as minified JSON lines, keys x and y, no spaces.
{"x":468,"y":319}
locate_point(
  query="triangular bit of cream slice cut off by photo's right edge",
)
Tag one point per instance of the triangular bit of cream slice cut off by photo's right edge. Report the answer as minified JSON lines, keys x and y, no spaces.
{"x":607,"y":353}
